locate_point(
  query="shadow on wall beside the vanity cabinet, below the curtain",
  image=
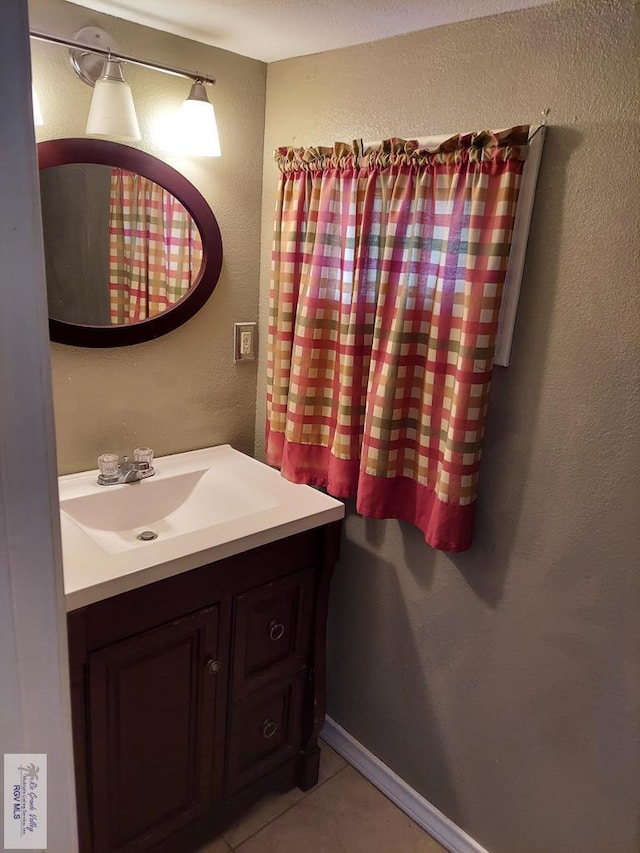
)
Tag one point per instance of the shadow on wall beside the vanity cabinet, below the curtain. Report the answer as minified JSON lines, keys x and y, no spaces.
{"x":372,"y":650}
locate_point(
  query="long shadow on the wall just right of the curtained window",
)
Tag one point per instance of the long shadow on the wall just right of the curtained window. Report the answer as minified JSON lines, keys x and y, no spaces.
{"x":514,"y":408}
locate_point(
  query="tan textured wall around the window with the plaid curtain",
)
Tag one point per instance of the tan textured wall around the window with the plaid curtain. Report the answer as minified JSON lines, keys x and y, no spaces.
{"x":503,"y":684}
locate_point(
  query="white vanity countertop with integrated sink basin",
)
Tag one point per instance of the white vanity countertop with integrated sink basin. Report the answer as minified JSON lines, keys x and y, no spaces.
{"x":246,"y":503}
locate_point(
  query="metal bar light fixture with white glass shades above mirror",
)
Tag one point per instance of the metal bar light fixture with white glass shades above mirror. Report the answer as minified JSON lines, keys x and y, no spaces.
{"x":98,"y":62}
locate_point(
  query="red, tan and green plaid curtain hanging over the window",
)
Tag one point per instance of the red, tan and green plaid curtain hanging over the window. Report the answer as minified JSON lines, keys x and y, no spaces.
{"x":388,"y":267}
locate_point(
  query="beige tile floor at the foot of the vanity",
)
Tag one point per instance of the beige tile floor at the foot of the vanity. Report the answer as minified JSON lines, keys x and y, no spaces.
{"x":344,"y":813}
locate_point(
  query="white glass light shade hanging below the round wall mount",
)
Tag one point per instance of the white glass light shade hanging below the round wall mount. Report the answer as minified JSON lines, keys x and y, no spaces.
{"x":112,"y":112}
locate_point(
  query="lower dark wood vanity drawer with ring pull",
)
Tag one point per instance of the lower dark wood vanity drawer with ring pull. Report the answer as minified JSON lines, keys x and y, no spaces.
{"x":264,"y":732}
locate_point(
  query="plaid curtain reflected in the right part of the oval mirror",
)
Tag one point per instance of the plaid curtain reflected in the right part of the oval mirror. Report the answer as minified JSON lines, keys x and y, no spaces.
{"x":155,"y":250}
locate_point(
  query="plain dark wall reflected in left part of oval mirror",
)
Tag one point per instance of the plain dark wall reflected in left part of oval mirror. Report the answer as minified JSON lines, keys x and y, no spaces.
{"x":75,"y":222}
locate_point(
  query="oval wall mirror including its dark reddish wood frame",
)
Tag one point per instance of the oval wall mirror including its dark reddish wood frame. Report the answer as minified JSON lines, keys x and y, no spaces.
{"x":132,"y":249}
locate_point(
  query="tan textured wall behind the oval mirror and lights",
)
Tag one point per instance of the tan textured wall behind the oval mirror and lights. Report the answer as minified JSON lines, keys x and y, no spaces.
{"x":183,"y":390}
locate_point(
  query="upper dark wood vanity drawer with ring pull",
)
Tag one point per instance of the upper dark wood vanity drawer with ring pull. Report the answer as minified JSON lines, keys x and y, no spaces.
{"x":272,"y":631}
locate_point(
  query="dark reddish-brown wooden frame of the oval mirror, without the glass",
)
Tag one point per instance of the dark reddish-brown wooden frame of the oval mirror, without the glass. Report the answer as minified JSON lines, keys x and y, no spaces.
{"x":57,"y":152}
